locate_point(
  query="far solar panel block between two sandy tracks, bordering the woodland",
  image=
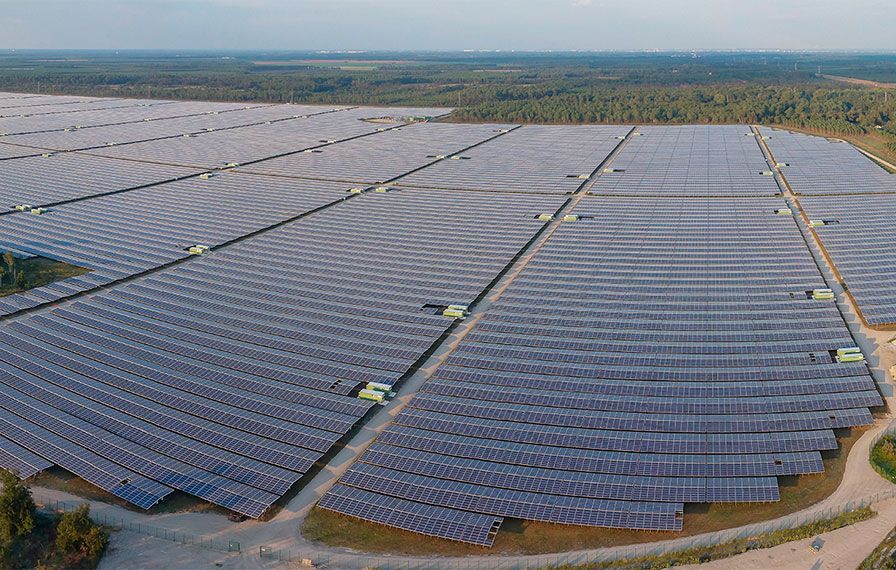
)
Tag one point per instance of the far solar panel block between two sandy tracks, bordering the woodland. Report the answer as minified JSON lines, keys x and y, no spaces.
{"x":690,"y":160}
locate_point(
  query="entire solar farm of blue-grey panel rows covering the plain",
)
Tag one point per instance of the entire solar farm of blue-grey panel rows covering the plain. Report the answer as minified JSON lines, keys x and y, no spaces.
{"x":260,"y":281}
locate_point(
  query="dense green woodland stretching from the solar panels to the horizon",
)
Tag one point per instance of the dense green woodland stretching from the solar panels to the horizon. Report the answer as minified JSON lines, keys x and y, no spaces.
{"x":771,"y":87}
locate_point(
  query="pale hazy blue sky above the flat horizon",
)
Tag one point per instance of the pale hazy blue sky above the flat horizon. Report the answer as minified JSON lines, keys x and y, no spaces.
{"x":449,"y":24}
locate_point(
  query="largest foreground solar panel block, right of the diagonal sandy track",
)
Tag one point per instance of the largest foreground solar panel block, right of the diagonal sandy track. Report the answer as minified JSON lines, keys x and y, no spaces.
{"x":544,"y":413}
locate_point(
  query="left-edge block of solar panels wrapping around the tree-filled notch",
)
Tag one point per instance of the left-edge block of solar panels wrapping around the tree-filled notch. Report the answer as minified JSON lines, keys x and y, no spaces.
{"x":124,"y":234}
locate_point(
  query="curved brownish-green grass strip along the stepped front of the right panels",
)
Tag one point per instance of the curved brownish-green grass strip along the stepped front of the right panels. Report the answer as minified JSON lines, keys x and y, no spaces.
{"x":532,"y":537}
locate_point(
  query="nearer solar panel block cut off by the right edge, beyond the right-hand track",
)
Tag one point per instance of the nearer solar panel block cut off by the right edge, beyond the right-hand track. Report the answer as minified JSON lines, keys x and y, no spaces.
{"x":859,"y":235}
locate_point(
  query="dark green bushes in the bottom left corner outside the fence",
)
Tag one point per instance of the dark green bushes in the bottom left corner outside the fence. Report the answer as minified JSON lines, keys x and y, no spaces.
{"x":32,"y":539}
